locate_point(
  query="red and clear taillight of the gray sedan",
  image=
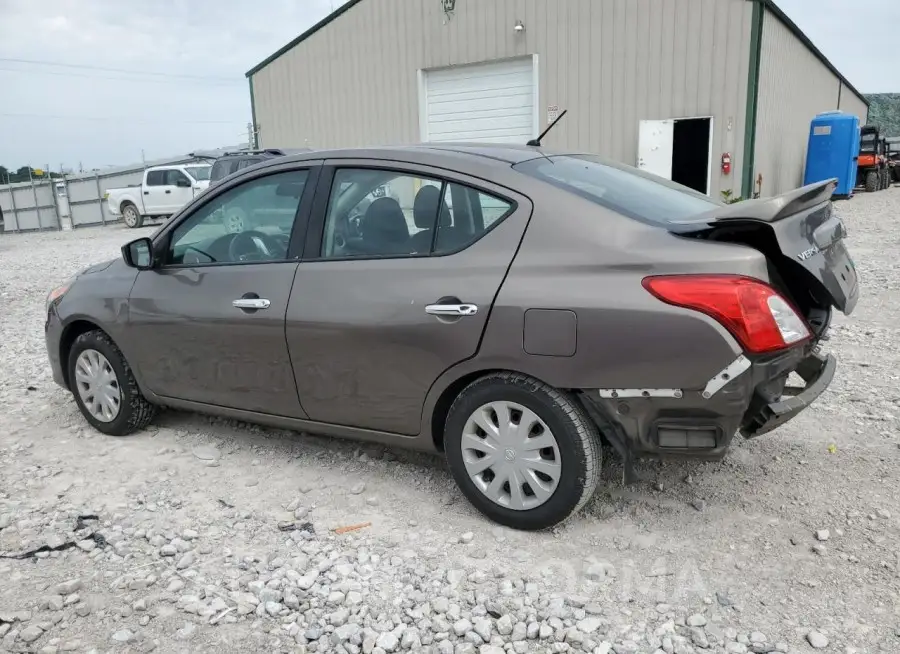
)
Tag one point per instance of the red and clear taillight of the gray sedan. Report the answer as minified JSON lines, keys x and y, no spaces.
{"x":755,"y":313}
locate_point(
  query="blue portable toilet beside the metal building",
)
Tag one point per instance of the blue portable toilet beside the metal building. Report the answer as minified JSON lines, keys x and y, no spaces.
{"x":832,"y":150}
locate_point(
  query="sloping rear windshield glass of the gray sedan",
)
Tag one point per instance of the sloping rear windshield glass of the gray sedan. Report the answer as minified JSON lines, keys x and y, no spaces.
{"x":620,"y":188}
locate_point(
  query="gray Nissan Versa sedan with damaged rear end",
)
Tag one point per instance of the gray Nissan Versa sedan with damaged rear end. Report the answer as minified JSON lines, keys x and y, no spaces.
{"x":511,"y":307}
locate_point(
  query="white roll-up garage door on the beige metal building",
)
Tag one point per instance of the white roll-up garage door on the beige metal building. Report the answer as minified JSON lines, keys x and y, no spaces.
{"x":493,"y":102}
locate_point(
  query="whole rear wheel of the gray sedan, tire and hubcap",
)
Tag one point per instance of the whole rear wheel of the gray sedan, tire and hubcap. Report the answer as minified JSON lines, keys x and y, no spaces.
{"x":523,"y":453}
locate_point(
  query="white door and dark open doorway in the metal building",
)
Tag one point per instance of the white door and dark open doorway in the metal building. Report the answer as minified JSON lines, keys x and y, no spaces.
{"x":678,"y":149}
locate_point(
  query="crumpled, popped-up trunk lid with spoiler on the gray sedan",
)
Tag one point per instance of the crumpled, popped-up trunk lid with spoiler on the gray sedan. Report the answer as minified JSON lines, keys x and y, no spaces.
{"x":799,"y":232}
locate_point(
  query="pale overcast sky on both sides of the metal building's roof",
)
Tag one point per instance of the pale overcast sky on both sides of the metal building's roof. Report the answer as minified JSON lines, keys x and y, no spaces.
{"x":69,"y":114}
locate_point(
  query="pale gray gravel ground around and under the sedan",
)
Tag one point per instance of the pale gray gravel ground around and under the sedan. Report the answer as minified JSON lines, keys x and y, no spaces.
{"x":203,"y":535}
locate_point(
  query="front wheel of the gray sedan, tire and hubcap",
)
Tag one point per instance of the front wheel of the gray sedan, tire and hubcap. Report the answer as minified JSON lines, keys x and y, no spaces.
{"x":104,"y":386}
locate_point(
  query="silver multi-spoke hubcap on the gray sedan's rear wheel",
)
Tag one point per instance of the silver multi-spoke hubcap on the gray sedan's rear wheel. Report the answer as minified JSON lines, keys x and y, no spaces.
{"x":511,"y":455}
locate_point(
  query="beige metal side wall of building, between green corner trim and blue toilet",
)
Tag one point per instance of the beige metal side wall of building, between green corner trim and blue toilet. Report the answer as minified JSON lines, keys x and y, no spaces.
{"x":794,"y":86}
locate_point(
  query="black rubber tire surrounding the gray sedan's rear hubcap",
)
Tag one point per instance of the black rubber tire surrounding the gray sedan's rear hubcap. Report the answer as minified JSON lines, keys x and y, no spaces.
{"x":577,"y":437}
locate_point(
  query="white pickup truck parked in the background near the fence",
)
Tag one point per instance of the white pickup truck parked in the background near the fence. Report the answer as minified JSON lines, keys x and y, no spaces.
{"x":164,"y":191}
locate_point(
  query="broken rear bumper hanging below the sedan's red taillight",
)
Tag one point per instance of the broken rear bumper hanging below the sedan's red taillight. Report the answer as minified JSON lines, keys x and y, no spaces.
{"x":749,"y":396}
